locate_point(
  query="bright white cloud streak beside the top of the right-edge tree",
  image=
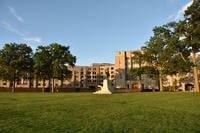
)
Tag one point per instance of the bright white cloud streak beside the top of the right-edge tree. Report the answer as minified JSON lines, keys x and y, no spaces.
{"x":179,"y":14}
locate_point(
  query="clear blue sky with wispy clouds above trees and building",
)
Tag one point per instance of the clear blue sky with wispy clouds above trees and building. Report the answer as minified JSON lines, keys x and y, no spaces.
{"x":94,"y":29}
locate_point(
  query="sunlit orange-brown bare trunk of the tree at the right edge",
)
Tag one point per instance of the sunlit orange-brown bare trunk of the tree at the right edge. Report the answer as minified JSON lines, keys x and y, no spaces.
{"x":195,"y":68}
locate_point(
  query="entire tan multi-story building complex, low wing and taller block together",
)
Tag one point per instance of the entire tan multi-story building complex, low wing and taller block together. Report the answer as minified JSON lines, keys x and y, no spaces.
{"x":93,"y":75}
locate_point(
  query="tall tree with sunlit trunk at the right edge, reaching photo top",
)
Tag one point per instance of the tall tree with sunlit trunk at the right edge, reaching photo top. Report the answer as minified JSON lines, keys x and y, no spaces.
{"x":189,"y":28}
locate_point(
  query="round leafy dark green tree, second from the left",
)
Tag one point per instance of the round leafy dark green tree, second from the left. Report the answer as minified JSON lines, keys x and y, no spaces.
{"x":51,"y":62}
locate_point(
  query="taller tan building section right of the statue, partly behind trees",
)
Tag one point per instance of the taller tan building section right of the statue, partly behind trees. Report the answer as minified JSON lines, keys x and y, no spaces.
{"x":124,"y":61}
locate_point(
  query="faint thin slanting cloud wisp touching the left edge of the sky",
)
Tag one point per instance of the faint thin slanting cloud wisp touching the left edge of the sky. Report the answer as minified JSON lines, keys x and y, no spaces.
{"x":10,"y":28}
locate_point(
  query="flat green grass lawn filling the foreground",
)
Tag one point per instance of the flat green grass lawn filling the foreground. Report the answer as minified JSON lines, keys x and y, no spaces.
{"x":85,"y":112}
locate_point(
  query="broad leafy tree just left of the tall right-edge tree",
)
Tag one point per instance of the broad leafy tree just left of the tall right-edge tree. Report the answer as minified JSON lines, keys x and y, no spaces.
{"x":165,"y":52}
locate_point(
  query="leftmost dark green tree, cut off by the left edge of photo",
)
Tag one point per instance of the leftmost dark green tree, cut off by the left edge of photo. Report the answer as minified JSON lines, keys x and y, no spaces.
{"x":15,"y":61}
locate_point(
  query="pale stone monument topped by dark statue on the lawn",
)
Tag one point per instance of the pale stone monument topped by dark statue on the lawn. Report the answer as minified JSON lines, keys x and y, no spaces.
{"x":107,"y":86}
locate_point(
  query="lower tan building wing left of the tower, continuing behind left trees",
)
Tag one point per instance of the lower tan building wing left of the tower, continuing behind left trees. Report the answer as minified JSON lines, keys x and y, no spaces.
{"x":82,"y":77}
